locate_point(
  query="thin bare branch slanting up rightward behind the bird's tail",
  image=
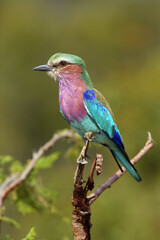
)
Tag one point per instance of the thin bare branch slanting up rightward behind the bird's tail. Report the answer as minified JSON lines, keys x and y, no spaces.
{"x":148,"y":145}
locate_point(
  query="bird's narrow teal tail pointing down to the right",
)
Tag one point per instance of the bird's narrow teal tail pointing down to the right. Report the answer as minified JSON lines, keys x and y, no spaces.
{"x":123,"y":158}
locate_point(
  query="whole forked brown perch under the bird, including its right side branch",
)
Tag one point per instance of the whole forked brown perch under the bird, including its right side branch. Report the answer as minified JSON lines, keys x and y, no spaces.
{"x":81,"y":203}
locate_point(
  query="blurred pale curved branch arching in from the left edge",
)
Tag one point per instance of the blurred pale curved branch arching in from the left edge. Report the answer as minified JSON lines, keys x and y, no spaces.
{"x":16,"y":179}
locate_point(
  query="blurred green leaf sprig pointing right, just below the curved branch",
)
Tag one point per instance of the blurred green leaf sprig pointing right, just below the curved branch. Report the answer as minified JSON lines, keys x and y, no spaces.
{"x":46,"y":162}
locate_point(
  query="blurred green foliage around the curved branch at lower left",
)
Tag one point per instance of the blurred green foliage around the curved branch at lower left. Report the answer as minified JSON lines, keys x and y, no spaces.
{"x":32,"y":195}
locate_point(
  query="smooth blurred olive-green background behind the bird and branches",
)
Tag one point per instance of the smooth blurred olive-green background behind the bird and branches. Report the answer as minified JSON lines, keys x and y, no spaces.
{"x":120,"y":43}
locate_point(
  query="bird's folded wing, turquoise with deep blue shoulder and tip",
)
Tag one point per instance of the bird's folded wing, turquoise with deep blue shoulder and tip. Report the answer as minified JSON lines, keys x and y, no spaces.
{"x":100,"y":111}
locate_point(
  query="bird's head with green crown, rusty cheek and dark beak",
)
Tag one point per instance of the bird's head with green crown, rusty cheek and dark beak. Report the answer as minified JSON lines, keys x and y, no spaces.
{"x":63,"y":66}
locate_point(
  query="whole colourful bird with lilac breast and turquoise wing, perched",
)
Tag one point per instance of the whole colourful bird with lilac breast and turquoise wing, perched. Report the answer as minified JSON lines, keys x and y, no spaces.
{"x":85,"y":108}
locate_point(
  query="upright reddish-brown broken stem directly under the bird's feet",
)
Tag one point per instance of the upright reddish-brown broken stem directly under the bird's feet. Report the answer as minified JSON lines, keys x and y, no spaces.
{"x":81,"y":209}
